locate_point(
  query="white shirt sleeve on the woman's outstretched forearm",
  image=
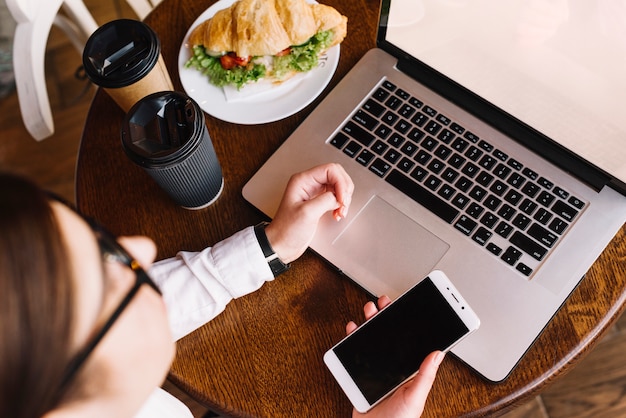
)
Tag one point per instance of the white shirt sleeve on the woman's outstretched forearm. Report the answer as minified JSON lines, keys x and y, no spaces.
{"x":197,"y":286}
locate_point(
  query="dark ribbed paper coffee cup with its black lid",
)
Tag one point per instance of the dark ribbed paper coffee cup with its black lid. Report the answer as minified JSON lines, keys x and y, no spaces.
{"x":165,"y":134}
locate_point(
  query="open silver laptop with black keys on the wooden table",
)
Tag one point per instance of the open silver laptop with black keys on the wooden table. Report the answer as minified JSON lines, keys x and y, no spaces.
{"x":485,"y":139}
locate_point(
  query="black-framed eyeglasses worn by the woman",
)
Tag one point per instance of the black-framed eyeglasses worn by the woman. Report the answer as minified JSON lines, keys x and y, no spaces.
{"x":112,"y":253}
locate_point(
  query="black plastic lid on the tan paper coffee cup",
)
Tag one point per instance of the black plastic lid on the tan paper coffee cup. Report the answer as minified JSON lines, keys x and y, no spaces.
{"x":120,"y":53}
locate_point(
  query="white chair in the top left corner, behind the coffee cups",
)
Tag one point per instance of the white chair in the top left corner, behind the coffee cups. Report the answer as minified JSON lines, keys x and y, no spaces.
{"x":34,"y":20}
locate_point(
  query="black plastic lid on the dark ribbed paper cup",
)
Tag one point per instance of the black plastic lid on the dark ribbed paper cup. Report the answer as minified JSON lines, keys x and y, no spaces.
{"x":162,"y":128}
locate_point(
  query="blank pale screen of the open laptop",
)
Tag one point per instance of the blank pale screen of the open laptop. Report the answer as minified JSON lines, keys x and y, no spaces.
{"x":559,"y":66}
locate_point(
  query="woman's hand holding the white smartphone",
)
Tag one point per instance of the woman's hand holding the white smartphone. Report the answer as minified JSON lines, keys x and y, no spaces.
{"x":409,"y":399}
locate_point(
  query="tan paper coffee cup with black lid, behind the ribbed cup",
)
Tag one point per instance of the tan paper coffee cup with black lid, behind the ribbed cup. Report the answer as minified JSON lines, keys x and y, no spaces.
{"x":124,"y":57}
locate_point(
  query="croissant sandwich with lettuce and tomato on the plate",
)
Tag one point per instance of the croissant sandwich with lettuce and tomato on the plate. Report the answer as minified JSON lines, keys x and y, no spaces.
{"x":271,"y":39}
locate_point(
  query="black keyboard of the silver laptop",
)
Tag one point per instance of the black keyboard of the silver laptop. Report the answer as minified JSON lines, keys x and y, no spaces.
{"x":509,"y":209}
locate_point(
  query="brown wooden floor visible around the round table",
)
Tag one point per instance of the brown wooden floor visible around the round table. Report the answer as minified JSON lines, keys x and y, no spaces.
{"x":595,"y":388}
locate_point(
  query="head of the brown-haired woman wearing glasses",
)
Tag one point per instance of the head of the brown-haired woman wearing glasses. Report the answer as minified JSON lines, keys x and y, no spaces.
{"x":60,"y":286}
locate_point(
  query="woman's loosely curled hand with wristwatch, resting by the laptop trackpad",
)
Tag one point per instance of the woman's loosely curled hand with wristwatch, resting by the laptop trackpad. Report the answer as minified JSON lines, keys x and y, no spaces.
{"x":308,"y":196}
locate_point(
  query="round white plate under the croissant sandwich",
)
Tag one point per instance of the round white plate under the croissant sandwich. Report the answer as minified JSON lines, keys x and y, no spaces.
{"x":271,"y":105}
